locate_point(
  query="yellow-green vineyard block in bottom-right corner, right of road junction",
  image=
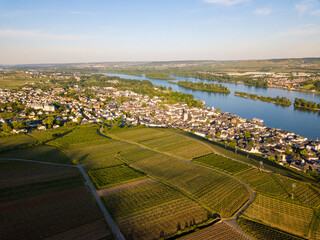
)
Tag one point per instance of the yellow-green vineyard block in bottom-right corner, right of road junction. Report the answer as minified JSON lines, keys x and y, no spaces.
{"x":285,"y":216}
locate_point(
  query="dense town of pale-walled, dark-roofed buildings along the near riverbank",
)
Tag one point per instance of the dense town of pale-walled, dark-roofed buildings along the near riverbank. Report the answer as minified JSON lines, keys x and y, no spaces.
{"x":137,"y":109}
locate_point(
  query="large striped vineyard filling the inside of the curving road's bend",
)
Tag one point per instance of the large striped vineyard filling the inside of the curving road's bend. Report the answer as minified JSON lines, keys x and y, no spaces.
{"x":222,"y":193}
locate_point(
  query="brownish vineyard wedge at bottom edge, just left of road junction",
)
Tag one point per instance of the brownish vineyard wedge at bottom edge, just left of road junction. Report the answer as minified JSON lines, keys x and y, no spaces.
{"x":218,"y":231}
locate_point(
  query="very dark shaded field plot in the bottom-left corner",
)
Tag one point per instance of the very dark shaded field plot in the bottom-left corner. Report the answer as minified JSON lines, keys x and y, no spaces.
{"x":42,"y":216}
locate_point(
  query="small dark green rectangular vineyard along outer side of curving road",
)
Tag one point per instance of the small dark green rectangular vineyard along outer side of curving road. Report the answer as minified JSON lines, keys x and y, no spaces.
{"x":221,"y":164}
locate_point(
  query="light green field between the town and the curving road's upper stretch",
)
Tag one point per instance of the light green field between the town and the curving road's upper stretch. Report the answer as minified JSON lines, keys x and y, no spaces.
{"x":163,"y":141}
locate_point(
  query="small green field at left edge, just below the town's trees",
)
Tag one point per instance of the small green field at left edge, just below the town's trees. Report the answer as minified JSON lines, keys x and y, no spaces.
{"x":15,"y":141}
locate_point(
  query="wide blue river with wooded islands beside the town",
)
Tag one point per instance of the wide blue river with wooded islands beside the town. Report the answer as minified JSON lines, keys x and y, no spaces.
{"x":304,"y":123}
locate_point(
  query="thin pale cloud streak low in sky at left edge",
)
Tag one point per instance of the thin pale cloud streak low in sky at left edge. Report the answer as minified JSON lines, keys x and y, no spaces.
{"x":36,"y":34}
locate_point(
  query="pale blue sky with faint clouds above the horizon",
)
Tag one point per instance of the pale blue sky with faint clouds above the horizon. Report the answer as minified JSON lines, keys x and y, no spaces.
{"x":74,"y":31}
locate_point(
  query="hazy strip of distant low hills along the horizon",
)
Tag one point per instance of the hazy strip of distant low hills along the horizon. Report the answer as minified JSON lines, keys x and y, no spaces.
{"x":282,"y":65}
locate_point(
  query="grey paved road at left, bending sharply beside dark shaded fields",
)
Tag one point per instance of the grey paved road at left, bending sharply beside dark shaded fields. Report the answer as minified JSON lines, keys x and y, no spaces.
{"x":107,"y":216}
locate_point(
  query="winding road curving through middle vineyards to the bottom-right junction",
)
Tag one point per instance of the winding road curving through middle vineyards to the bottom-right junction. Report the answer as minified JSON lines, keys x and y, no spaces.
{"x":231,"y":222}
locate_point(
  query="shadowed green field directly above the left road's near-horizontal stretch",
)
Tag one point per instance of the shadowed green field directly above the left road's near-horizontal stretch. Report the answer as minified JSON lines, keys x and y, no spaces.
{"x":41,"y":153}
